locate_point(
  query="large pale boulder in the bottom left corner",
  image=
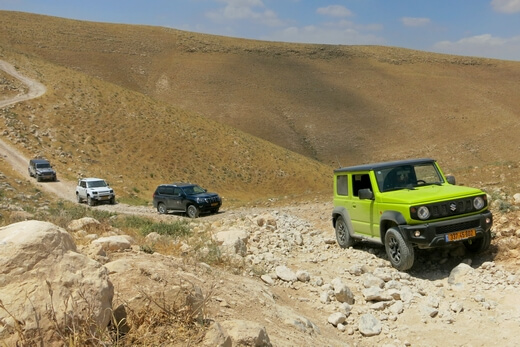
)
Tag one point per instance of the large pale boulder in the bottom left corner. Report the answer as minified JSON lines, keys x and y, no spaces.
{"x":41,"y":273}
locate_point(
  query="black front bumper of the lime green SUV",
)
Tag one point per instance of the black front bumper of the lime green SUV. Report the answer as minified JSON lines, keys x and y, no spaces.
{"x":436,"y":233}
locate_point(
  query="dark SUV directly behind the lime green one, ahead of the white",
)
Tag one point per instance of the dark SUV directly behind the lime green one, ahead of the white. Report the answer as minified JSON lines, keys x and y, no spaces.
{"x":185,"y":197}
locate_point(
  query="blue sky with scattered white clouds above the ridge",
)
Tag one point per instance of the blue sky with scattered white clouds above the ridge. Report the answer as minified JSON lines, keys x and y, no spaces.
{"x":482,"y":28}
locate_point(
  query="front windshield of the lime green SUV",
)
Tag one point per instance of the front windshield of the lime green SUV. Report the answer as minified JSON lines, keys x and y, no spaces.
{"x":407,"y":176}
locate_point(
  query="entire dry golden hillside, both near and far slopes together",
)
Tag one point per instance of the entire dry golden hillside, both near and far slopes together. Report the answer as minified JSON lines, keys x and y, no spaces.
{"x":167,"y":102}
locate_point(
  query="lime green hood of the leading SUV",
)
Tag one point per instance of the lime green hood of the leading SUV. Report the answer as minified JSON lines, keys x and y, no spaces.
{"x":428,"y":194}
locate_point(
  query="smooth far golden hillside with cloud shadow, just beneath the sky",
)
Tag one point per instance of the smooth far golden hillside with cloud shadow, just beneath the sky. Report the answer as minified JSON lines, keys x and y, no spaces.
{"x":346,"y":104}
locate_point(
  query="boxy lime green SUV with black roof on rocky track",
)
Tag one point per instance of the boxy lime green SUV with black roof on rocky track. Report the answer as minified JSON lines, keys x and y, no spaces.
{"x":405,"y":205}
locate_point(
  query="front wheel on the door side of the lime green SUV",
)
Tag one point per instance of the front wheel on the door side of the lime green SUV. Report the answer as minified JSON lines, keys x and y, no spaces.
{"x":400,"y":252}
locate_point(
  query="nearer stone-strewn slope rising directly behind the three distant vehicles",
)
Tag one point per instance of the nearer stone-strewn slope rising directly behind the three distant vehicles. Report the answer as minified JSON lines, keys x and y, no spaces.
{"x":88,"y":127}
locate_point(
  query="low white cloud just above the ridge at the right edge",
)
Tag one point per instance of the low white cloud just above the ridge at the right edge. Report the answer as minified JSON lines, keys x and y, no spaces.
{"x":484,"y":45}
